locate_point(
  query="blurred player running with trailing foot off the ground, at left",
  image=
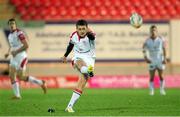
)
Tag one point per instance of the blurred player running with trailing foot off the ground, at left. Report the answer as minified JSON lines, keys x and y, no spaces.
{"x":17,"y":49}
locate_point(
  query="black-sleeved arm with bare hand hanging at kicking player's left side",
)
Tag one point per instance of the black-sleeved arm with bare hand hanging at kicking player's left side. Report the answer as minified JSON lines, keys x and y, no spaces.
{"x":68,"y":50}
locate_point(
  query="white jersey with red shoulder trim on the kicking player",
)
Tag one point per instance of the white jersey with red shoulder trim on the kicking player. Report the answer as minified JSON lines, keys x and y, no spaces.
{"x":82,"y":46}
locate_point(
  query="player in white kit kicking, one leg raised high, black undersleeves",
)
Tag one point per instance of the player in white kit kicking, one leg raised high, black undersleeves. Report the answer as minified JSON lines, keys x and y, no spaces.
{"x":82,"y":42}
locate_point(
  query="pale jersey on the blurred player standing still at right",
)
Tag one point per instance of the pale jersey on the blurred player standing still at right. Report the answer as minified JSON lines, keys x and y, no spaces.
{"x":155,"y":48}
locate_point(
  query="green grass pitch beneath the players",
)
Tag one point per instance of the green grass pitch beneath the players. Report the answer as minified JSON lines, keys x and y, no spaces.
{"x":93,"y":102}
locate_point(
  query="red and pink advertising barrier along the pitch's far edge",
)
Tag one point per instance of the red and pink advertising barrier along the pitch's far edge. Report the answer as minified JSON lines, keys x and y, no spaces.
{"x":115,"y":81}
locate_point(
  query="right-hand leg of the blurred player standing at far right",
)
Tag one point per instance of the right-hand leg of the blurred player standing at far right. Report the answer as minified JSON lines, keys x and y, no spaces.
{"x":162,"y":82}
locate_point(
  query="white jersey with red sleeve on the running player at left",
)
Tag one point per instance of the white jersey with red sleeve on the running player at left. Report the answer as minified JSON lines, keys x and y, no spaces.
{"x":15,"y":39}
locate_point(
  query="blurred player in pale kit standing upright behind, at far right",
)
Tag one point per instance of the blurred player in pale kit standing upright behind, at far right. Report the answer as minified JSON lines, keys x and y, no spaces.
{"x":156,"y":47}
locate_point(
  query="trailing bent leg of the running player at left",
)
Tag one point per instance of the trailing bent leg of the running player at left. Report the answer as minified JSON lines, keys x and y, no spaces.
{"x":21,"y":73}
